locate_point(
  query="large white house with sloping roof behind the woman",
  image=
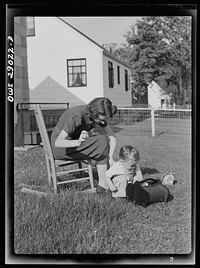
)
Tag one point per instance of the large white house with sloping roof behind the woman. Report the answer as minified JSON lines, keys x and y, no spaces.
{"x":65,"y":65}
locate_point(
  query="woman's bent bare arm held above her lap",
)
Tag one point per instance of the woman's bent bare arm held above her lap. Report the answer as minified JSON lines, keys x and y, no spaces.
{"x":62,"y":142}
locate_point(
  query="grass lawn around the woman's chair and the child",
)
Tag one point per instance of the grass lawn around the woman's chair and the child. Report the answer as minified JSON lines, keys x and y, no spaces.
{"x":78,"y":223}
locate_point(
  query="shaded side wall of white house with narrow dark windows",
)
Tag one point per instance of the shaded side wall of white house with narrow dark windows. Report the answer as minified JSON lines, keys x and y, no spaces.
{"x":117,"y":94}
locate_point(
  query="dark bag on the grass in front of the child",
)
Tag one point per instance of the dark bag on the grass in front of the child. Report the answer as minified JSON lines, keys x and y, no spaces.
{"x":152,"y":192}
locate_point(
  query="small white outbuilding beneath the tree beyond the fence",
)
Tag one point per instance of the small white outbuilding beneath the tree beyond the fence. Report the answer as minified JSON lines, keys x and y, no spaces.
{"x":157,"y":97}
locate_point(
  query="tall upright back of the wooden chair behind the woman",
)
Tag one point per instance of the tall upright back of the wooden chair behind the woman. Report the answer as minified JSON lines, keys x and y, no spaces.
{"x":43,"y":130}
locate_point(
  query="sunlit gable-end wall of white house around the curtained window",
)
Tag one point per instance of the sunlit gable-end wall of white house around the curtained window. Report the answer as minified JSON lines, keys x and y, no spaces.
{"x":55,"y":42}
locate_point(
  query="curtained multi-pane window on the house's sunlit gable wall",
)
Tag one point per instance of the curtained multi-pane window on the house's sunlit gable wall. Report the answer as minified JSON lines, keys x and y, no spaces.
{"x":76,"y":72}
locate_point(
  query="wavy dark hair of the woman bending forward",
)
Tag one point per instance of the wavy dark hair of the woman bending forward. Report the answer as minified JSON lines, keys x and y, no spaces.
{"x":101,"y":106}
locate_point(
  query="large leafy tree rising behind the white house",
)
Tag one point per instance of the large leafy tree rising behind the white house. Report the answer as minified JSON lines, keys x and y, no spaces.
{"x":159,"y":48}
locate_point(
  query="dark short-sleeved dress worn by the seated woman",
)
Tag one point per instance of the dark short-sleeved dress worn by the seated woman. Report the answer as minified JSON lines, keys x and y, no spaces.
{"x":73,"y":121}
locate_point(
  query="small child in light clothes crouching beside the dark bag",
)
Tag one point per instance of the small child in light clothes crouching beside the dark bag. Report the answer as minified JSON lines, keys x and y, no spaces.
{"x":125,"y":171}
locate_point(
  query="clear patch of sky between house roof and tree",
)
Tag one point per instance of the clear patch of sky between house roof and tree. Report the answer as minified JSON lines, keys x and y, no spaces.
{"x":103,"y":30}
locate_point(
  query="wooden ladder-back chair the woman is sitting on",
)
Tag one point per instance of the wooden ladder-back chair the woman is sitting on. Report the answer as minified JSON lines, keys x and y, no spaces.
{"x":52,"y":164}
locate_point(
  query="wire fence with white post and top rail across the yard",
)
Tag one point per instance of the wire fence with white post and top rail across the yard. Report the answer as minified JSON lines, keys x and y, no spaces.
{"x":148,"y":121}
